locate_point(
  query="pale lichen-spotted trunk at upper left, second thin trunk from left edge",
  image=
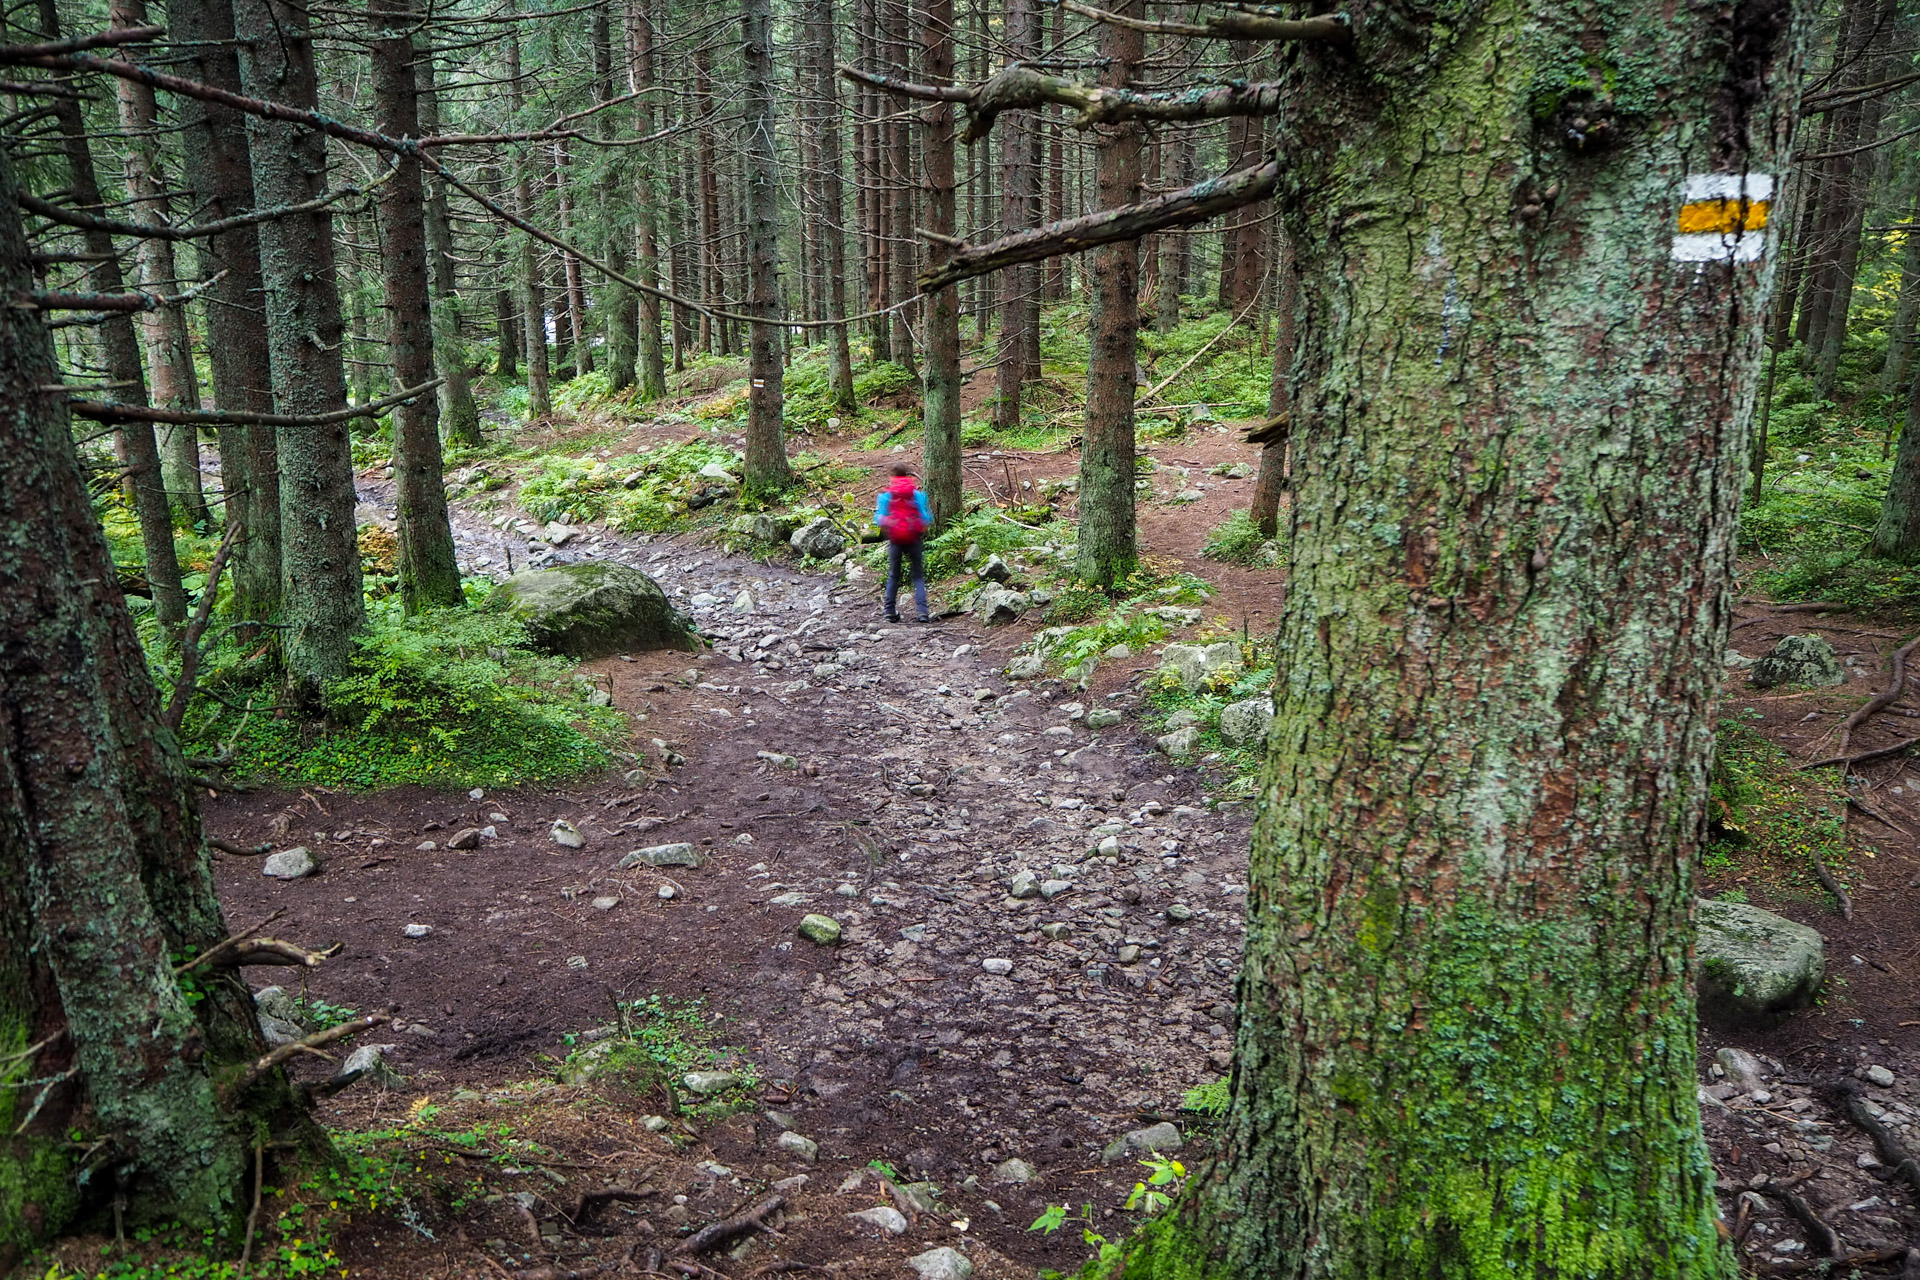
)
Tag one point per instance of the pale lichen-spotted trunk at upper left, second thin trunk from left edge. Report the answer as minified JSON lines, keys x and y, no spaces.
{"x":170,"y":343}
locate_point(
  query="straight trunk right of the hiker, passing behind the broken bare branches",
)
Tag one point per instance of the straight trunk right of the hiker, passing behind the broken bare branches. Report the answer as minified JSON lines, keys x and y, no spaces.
{"x":1107,"y":529}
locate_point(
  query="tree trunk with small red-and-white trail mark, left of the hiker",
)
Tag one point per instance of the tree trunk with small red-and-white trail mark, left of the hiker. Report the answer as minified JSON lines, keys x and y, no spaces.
{"x":767,"y":450}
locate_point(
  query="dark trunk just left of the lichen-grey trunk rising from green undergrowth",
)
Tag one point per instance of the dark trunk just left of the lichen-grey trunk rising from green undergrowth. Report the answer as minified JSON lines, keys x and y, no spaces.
{"x":220,"y":172}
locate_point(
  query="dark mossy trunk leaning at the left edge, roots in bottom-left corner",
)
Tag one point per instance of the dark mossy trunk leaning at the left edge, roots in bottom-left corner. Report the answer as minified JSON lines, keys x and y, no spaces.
{"x":105,"y":878}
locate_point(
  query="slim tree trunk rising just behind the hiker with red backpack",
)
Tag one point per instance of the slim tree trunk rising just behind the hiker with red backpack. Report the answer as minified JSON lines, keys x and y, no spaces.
{"x":942,"y":389}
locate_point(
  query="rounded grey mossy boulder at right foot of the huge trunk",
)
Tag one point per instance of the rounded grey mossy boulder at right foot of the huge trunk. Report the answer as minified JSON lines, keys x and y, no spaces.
{"x":1754,"y":966}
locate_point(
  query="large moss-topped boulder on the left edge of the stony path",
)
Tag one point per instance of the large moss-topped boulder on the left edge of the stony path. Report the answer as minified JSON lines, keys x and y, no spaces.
{"x":592,"y":609}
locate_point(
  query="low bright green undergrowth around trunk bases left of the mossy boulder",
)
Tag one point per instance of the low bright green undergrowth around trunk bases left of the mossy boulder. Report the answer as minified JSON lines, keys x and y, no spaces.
{"x":446,"y":699}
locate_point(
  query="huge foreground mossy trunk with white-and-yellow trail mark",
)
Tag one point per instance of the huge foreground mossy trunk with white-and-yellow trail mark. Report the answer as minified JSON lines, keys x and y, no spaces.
{"x":1535,"y":281}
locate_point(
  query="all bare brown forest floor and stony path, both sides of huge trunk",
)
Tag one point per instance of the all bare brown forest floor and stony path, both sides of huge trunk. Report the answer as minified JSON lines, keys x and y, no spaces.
{"x":963,"y":1056}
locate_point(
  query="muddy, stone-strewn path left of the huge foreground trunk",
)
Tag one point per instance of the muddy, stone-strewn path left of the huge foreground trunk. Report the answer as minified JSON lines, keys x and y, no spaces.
{"x":880,"y":774}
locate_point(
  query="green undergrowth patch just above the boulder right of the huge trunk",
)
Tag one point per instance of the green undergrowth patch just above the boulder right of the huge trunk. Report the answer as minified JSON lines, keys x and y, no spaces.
{"x":1769,"y":820}
